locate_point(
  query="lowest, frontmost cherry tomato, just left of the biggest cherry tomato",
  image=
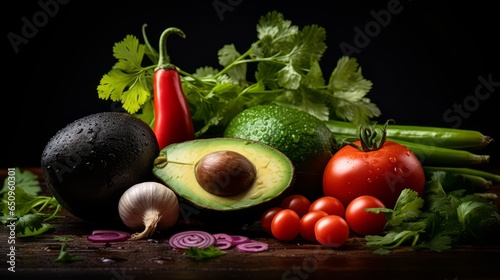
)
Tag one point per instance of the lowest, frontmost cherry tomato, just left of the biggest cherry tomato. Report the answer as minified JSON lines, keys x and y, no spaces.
{"x":331,"y":231}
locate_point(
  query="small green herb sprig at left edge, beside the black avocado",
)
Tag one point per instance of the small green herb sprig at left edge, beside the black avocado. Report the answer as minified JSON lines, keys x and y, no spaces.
{"x":25,"y":207}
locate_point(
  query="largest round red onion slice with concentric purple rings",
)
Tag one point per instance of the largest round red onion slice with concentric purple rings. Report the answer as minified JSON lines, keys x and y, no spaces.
{"x":191,"y":238}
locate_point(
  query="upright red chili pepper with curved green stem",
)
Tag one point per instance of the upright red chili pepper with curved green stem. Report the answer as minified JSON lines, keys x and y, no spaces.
{"x":172,"y":123}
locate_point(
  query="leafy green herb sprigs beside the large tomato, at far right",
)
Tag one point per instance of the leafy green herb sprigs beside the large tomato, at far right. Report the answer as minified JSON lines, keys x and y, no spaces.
{"x":437,"y":220}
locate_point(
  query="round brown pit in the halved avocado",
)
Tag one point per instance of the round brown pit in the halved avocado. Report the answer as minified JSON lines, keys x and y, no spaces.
{"x":225,"y":173}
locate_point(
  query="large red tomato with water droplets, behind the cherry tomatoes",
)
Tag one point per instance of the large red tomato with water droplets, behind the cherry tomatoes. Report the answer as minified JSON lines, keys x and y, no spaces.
{"x":382,"y":173}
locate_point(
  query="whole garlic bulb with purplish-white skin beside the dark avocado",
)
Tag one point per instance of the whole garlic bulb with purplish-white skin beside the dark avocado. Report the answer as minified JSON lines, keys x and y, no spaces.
{"x":148,"y":205}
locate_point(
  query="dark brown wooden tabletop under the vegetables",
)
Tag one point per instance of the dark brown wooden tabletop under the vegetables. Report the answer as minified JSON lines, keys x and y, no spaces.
{"x":155,"y":259}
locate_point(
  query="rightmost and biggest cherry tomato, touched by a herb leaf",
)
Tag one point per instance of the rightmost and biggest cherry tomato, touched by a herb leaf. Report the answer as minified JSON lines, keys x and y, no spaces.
{"x":362,"y":222}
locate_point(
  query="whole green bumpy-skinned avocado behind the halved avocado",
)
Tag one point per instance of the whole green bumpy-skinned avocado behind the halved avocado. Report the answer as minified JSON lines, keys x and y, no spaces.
{"x":302,"y":137}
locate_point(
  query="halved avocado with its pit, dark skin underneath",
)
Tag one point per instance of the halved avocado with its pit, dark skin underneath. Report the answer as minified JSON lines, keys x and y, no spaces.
{"x":177,"y":164}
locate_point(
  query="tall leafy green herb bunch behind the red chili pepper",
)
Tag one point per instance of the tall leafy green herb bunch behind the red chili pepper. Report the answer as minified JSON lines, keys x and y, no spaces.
{"x":288,"y":73}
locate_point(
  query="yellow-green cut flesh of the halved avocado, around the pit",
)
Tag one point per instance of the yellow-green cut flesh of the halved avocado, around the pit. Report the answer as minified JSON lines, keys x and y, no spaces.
{"x":274,"y":172}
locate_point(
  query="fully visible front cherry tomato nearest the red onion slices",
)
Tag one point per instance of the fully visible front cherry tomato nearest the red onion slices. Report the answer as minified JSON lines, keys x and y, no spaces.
{"x":285,"y":225}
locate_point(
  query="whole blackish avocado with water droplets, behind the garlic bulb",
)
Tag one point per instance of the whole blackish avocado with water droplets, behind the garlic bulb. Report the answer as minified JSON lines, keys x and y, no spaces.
{"x":88,"y":164}
